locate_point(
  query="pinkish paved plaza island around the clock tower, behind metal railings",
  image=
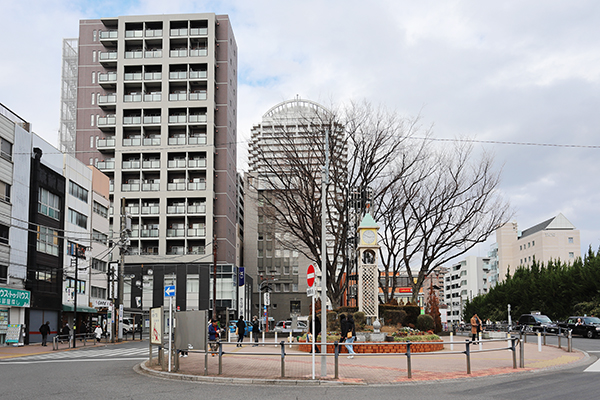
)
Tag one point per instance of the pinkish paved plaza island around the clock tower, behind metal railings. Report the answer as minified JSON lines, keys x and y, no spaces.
{"x":262,"y":364}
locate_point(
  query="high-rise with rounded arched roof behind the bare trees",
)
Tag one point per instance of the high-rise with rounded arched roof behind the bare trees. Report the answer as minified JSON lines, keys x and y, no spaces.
{"x":277,"y":264}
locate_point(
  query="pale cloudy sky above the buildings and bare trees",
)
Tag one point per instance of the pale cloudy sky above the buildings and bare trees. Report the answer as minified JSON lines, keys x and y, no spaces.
{"x":509,"y":72}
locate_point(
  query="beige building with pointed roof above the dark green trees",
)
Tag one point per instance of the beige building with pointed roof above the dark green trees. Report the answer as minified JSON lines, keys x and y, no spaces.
{"x":553,"y":239}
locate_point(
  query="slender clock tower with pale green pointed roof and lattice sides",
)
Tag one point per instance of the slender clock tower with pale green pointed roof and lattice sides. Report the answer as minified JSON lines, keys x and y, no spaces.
{"x":368,"y":273}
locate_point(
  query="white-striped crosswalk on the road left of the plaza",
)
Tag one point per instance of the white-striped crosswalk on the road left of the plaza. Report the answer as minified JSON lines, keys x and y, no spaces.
{"x":98,"y":354}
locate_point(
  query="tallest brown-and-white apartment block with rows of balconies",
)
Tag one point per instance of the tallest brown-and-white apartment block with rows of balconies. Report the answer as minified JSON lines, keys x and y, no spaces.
{"x":156,"y":112}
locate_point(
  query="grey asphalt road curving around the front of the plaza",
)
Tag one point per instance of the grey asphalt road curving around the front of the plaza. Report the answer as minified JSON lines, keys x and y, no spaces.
{"x":108,"y":372}
